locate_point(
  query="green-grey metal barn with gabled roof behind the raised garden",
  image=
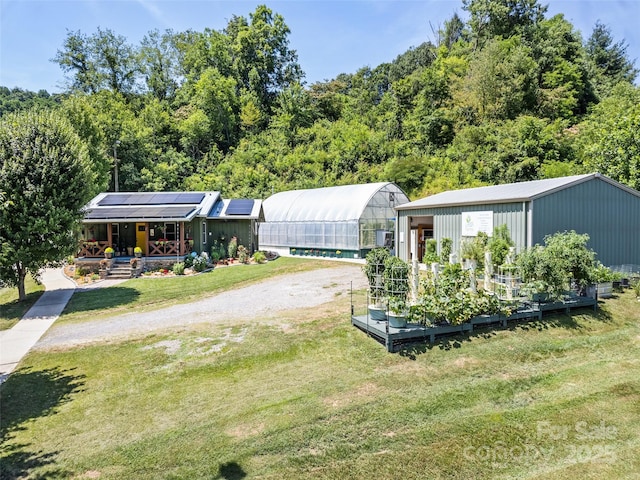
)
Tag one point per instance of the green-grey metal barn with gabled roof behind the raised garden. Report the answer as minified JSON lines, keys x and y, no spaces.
{"x":593,"y":203}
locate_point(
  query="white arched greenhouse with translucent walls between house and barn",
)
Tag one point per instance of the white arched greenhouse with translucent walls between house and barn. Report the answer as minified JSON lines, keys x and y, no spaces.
{"x":344,"y":221}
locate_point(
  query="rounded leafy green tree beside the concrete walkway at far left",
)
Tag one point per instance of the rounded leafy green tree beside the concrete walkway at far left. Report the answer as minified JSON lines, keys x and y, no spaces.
{"x":44,"y":174}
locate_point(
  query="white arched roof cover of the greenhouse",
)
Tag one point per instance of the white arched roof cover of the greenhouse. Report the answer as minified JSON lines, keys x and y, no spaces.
{"x":329,"y":204}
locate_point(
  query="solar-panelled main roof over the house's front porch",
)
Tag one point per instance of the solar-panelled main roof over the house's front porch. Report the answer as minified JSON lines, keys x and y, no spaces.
{"x":149,"y":206}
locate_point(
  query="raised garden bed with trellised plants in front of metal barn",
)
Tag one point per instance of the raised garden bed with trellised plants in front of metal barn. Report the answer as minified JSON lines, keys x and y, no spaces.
{"x":490,"y":284}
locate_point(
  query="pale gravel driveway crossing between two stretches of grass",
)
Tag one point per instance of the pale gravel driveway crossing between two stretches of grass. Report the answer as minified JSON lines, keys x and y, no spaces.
{"x":261,"y":301}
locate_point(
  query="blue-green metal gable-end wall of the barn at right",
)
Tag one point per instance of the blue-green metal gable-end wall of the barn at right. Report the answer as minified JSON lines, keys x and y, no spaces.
{"x":610,"y":215}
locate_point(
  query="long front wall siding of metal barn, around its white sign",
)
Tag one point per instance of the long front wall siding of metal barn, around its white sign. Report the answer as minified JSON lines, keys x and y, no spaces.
{"x":447,"y":223}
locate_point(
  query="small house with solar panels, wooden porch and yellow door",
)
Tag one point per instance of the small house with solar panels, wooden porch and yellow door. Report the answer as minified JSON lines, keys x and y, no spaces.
{"x":165,"y":224}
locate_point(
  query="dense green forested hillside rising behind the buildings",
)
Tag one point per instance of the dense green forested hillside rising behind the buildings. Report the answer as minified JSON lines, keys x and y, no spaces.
{"x":511,"y":95}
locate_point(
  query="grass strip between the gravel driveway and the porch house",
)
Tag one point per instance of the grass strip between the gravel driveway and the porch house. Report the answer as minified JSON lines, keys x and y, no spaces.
{"x":149,"y":293}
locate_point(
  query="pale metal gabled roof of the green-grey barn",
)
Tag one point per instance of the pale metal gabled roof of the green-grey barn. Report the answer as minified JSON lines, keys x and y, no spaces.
{"x":507,"y":193}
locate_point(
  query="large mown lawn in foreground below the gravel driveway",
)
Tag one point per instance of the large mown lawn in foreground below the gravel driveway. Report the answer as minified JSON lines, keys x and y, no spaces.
{"x":312,"y":397}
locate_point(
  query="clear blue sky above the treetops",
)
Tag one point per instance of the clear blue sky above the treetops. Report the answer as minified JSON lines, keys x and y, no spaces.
{"x":331,"y":37}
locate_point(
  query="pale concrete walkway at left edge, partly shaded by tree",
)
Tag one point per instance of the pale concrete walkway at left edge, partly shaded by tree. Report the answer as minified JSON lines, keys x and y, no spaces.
{"x":17,"y":341}
